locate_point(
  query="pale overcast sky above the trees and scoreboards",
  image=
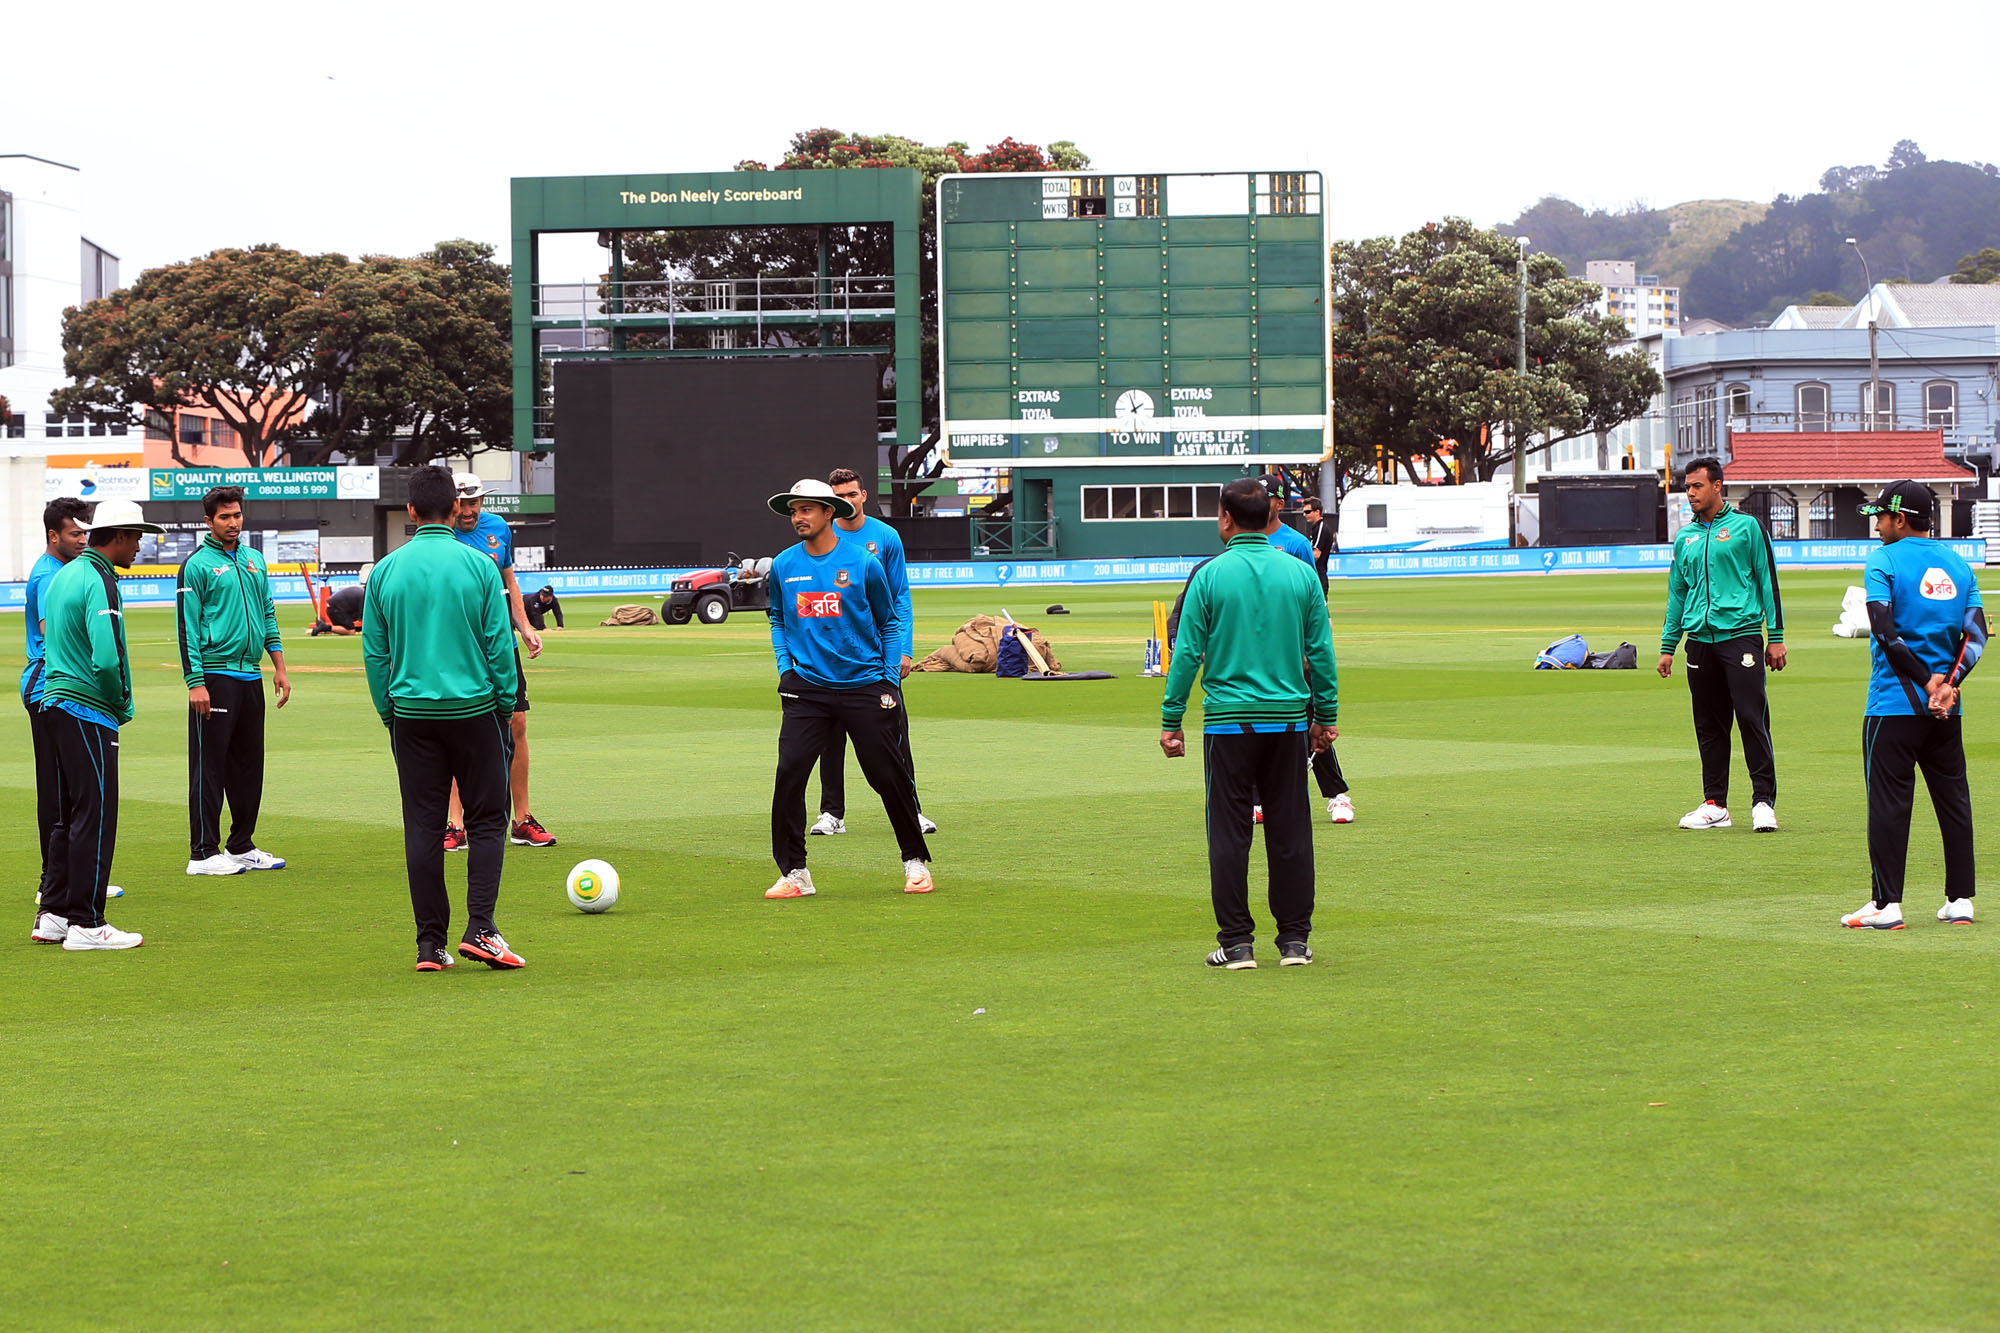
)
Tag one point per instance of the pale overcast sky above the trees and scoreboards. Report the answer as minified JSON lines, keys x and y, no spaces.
{"x":375,"y":127}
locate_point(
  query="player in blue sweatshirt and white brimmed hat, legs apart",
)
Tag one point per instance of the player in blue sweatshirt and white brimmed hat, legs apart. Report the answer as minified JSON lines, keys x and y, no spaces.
{"x":837,"y":635}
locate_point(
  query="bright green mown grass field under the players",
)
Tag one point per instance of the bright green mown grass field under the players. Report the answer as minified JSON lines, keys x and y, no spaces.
{"x":1559,"y":1062}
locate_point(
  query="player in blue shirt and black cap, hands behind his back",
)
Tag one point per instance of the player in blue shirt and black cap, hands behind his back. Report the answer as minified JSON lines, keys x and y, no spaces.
{"x":1929,"y":633}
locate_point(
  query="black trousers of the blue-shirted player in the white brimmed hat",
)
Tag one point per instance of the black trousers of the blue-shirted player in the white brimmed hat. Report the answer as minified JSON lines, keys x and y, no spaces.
{"x":815,"y":714}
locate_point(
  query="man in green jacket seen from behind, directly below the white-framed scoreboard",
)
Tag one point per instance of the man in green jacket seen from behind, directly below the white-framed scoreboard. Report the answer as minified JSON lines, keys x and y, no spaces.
{"x":1255,"y":625}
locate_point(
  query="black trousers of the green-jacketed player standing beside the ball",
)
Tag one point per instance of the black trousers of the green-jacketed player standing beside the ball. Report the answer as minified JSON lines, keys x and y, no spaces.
{"x":431,"y":756}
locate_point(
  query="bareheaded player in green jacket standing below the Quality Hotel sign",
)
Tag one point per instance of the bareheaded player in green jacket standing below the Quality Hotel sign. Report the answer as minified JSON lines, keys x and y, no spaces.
{"x":227,"y":623}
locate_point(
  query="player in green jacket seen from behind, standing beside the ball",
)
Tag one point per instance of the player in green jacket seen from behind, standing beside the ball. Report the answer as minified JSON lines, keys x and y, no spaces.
{"x":439,"y":651}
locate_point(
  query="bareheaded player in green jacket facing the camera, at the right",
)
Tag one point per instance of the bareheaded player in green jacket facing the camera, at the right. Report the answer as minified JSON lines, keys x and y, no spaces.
{"x":1723,"y":597}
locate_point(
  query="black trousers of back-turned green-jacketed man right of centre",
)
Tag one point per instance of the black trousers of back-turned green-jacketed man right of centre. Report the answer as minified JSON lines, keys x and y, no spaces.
{"x":1241,"y":770}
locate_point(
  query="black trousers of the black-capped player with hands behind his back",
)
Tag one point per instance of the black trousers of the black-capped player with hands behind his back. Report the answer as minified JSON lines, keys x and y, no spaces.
{"x":1893,"y":748}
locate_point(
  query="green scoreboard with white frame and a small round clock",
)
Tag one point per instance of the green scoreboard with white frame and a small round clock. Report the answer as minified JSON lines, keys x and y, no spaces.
{"x":1105,"y":319}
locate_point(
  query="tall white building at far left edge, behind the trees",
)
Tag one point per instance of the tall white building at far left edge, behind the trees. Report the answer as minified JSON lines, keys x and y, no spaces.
{"x":47,"y":265}
